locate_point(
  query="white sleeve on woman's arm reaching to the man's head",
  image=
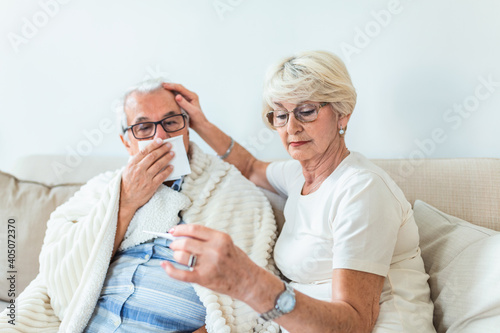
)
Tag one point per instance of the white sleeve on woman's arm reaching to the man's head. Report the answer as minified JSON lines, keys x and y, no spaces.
{"x":282,"y":174}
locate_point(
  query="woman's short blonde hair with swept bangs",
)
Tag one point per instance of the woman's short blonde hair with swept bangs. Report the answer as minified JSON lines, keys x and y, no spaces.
{"x":316,"y":76}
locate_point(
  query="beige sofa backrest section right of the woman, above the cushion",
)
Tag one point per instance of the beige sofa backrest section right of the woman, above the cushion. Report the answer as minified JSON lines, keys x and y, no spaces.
{"x":468,"y":188}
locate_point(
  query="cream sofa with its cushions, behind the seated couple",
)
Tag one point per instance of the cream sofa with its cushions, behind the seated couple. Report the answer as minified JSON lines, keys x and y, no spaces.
{"x":462,"y":258}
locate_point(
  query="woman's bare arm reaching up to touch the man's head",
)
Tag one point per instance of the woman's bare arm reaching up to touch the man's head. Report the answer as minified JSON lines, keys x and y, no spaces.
{"x":249,"y":166}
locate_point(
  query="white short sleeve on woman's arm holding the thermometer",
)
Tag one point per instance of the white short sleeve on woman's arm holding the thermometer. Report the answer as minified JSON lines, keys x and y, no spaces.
{"x":366,"y":224}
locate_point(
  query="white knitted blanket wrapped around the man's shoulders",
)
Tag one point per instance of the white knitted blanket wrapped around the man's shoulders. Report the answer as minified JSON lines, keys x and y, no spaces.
{"x":80,"y":234}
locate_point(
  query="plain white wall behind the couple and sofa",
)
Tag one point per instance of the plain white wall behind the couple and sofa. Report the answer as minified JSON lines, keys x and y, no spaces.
{"x":58,"y":81}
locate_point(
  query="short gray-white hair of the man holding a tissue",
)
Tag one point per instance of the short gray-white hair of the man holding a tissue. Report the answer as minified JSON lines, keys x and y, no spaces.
{"x":145,"y":87}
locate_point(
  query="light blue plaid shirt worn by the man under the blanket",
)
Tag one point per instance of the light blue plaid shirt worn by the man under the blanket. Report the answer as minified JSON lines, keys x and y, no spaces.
{"x":138,"y":296}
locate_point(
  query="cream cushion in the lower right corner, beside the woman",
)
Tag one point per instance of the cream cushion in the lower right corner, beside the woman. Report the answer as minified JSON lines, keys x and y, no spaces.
{"x":462,"y":261}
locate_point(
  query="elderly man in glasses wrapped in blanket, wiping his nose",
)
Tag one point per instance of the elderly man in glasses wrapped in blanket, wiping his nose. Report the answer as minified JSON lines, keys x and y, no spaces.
{"x":99,"y":272}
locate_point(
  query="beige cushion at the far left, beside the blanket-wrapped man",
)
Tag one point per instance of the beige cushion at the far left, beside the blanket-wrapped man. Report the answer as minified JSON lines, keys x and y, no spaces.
{"x":26,"y":207}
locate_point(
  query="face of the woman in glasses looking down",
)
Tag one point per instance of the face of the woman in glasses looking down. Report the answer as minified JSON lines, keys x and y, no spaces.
{"x":306,"y":141}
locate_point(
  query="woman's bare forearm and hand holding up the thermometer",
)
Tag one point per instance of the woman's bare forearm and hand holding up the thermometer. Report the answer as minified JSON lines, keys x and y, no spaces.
{"x":223,"y":267}
